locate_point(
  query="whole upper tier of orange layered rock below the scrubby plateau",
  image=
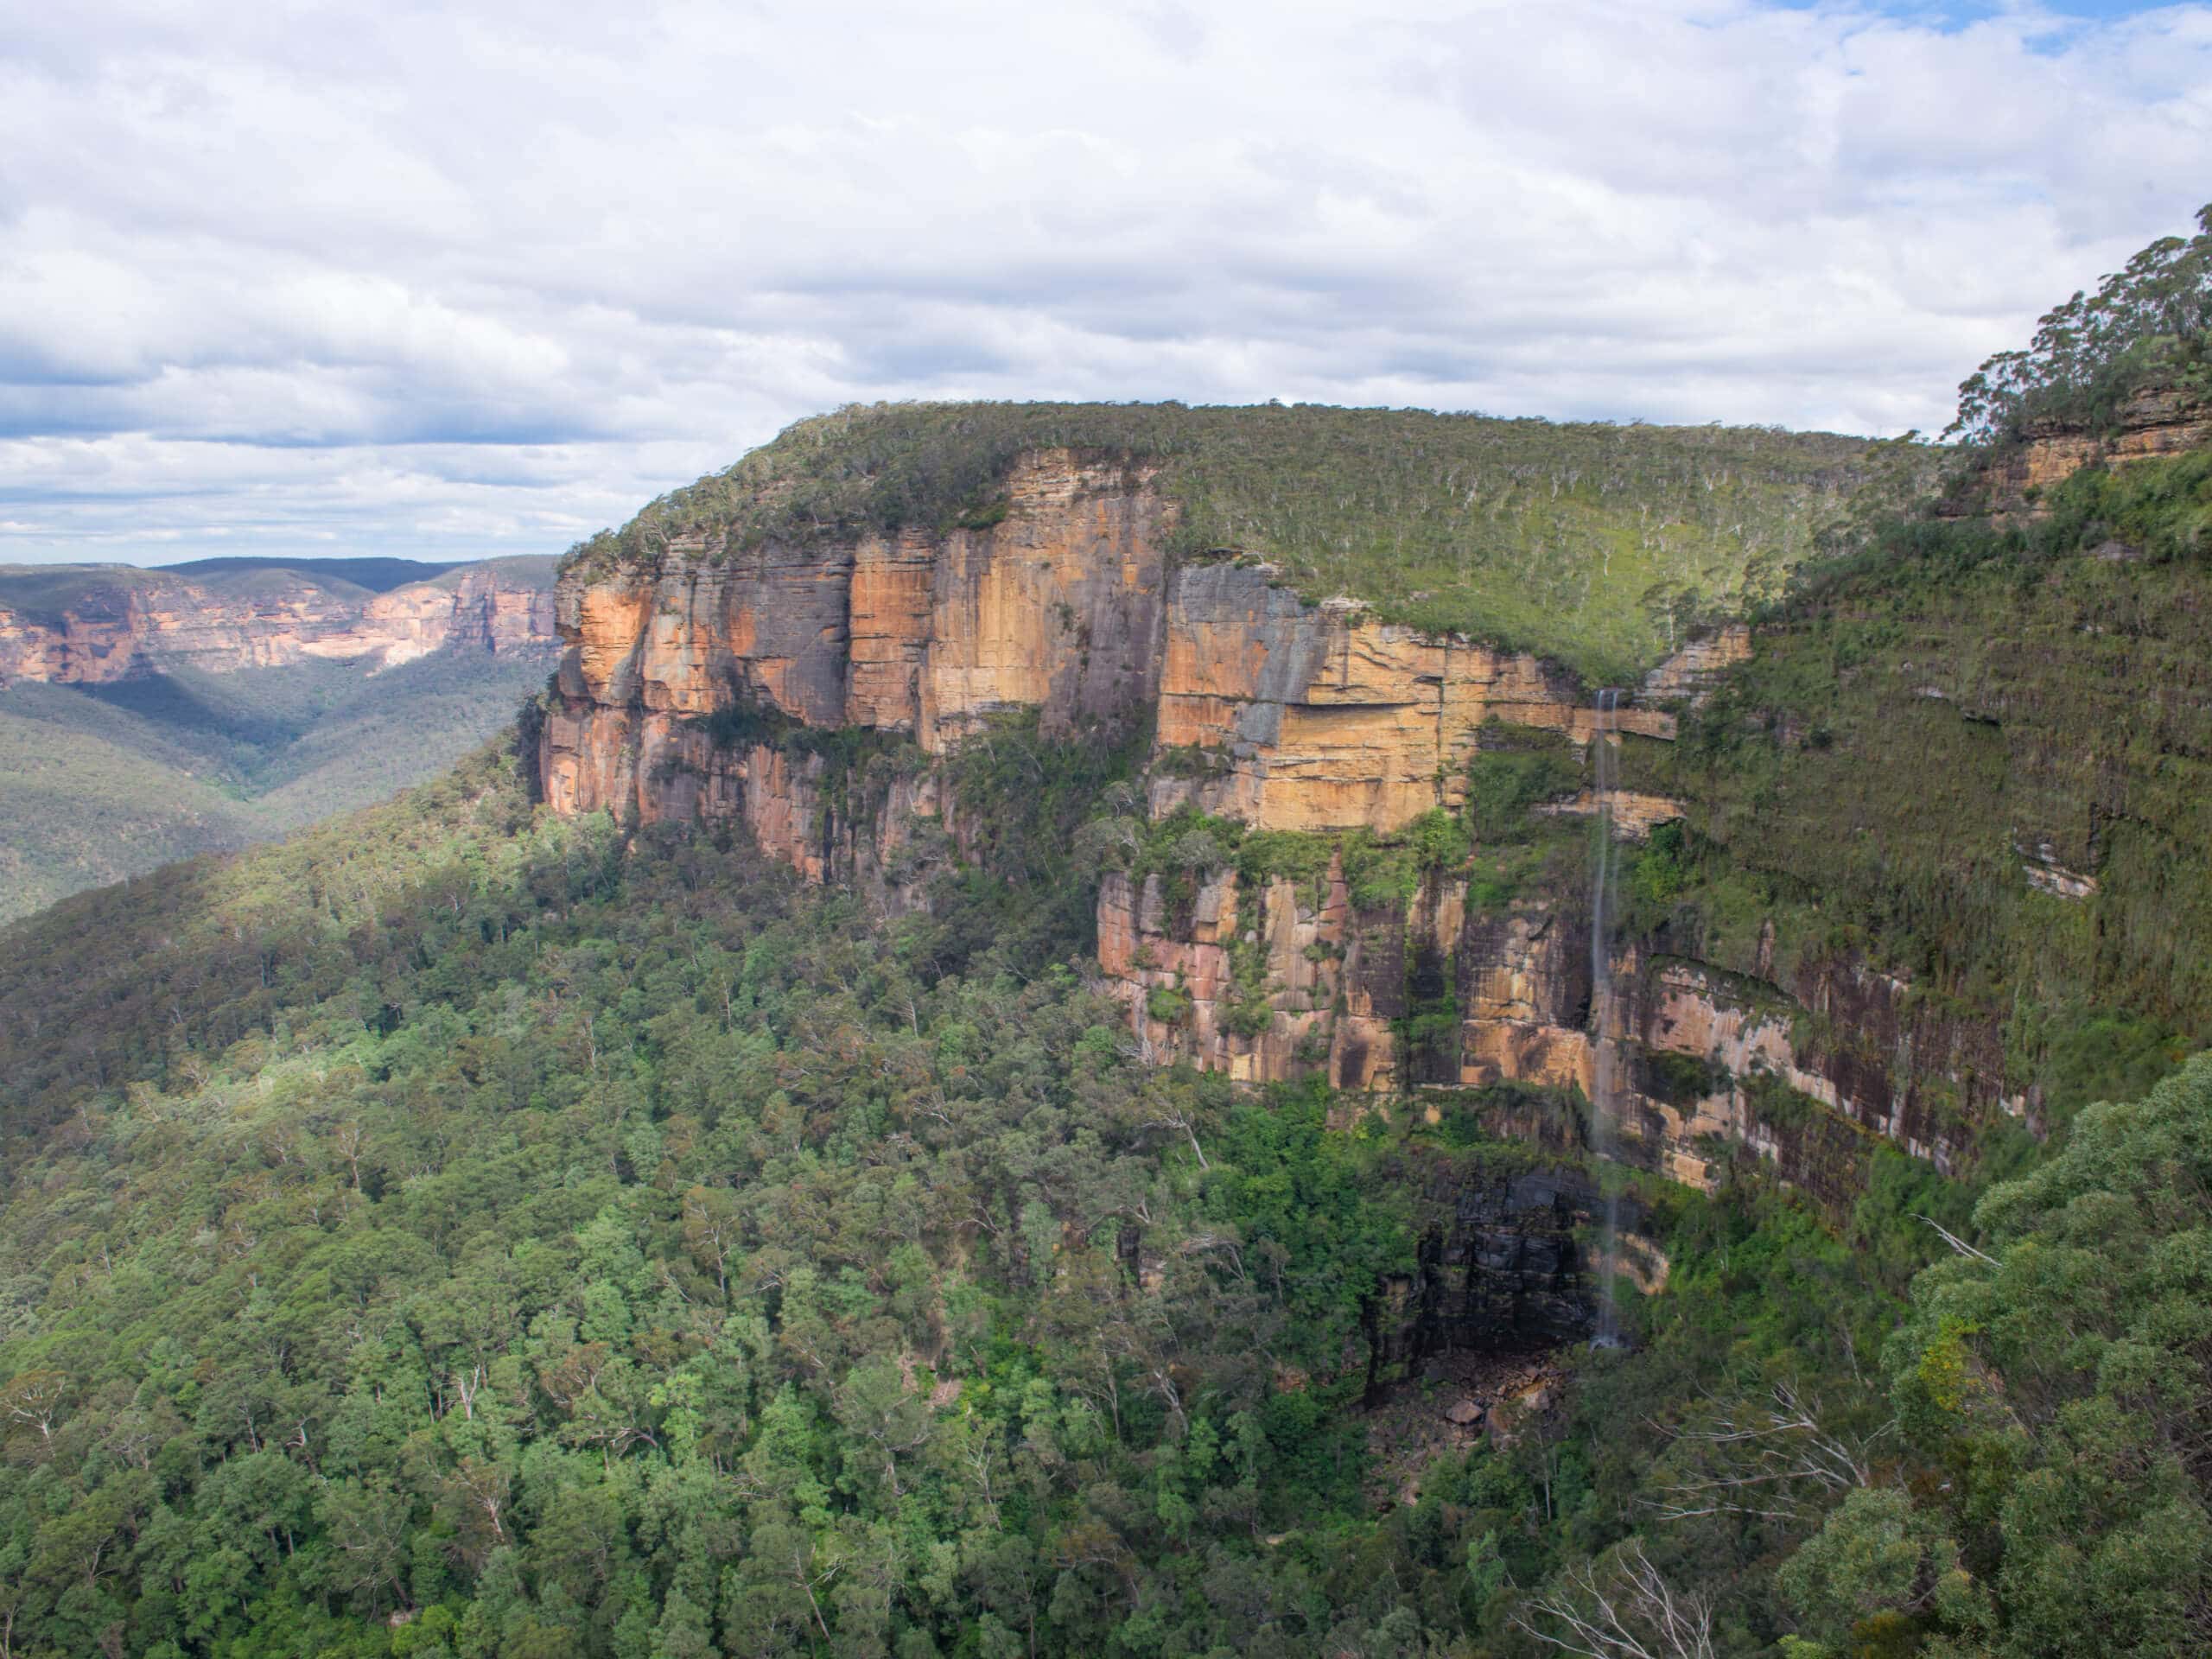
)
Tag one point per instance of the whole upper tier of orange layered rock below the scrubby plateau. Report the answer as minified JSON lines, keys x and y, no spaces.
{"x":1291,"y":716}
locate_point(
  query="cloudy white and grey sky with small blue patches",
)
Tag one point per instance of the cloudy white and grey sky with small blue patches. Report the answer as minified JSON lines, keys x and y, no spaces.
{"x":470,"y":280}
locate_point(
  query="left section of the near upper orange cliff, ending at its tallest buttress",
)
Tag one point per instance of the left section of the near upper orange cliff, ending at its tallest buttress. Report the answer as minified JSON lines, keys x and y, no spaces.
{"x":1056,"y":607}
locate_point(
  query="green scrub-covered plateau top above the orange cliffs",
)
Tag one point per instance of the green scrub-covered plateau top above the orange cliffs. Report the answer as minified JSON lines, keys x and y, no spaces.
{"x":1583,"y":541}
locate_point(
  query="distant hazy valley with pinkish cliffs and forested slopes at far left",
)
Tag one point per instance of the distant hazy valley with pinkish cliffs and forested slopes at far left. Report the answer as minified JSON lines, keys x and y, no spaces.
{"x":149,"y":716}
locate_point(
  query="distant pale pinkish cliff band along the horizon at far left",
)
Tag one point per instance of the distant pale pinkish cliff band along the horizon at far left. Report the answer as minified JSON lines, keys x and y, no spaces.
{"x":118,"y":625}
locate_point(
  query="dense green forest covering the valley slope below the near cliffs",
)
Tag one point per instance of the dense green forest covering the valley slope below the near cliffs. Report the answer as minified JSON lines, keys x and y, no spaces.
{"x":594,"y":1251}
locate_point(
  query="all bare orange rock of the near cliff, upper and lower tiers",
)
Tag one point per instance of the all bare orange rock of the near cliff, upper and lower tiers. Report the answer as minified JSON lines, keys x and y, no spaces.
{"x":1280,"y":713}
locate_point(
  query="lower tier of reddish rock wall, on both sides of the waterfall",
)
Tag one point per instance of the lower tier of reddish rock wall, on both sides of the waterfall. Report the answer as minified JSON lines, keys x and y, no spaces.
{"x":1806,"y":1074}
